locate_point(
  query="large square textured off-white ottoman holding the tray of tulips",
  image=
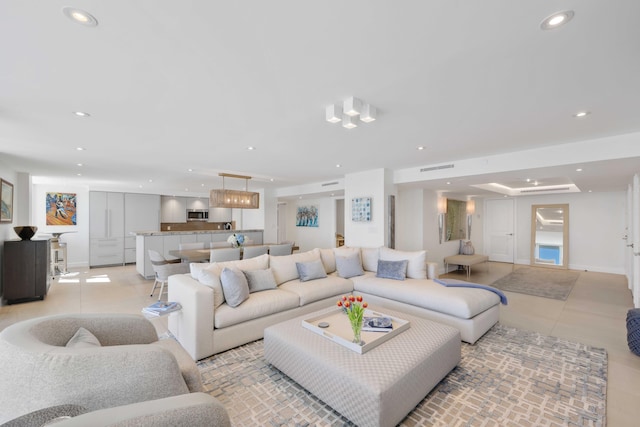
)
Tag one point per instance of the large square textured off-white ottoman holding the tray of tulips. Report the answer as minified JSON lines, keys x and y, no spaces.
{"x":377,"y":388}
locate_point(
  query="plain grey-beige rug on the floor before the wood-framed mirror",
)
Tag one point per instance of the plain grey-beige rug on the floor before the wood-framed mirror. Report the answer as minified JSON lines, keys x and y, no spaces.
{"x":539,"y":282}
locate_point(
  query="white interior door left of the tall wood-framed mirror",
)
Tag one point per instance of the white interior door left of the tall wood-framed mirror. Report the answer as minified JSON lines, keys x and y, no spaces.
{"x":499,"y":230}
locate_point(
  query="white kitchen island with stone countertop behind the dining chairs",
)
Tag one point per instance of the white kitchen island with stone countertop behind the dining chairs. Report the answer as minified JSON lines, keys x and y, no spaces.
{"x":165,"y":241}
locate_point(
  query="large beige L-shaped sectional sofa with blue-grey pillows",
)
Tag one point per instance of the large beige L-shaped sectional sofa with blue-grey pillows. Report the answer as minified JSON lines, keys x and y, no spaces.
{"x":209,"y":324}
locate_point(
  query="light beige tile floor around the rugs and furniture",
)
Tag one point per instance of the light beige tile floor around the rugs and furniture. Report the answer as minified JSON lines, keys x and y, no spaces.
{"x":594,"y":314}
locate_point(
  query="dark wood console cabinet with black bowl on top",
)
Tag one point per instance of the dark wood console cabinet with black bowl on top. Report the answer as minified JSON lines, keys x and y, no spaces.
{"x":25,"y":270}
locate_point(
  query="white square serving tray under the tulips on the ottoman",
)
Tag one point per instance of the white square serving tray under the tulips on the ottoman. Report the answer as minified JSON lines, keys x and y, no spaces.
{"x":339,"y":329}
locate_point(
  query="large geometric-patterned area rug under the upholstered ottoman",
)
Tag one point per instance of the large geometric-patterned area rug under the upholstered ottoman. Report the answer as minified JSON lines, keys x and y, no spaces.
{"x":508,"y":378}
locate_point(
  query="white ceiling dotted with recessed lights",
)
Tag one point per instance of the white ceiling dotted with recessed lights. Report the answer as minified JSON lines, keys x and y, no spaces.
{"x":173,"y":86}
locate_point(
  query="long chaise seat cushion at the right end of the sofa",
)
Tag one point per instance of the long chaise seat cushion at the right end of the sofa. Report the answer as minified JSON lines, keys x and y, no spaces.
{"x":463,"y":303}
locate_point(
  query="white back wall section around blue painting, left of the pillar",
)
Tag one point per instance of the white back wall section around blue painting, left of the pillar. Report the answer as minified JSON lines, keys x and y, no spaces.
{"x":322,"y":236}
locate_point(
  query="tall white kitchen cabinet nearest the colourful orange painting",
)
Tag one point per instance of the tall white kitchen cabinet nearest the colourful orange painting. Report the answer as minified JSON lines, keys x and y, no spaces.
{"x":106,"y":228}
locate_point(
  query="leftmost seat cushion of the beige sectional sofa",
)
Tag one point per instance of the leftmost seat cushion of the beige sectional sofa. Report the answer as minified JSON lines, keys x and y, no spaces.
{"x":258,"y":304}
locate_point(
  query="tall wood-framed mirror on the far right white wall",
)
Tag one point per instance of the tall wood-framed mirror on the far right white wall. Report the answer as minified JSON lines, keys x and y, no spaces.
{"x":550,"y":236}
